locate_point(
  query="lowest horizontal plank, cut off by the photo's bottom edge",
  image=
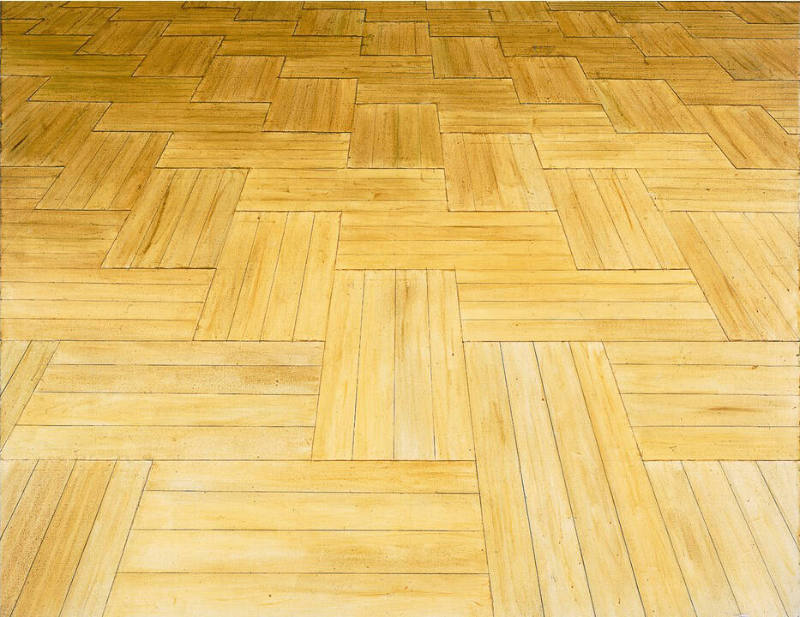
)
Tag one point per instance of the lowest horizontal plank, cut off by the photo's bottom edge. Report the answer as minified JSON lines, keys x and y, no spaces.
{"x":326,"y":595}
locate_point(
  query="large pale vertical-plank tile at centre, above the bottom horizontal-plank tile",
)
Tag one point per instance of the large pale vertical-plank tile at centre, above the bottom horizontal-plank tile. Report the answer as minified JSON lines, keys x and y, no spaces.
{"x":407,"y":324}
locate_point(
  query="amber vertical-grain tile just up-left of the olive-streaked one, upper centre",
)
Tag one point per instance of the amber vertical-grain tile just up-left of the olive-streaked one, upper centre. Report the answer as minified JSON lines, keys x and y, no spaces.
{"x":314,"y":105}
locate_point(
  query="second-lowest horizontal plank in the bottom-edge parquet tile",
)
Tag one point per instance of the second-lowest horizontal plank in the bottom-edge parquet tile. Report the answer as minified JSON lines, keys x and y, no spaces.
{"x":453,"y":552}
